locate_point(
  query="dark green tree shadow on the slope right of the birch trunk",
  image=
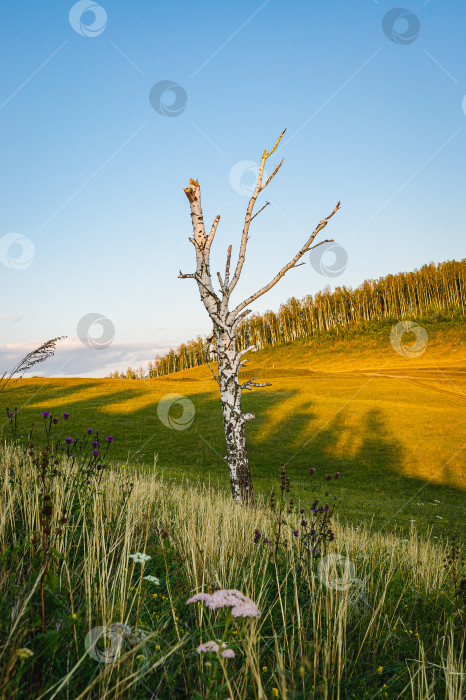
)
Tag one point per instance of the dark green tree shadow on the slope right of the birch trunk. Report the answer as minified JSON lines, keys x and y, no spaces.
{"x":373,"y":483}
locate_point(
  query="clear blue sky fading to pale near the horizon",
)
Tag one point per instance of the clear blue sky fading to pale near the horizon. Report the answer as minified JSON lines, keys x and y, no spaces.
{"x":94,"y":219}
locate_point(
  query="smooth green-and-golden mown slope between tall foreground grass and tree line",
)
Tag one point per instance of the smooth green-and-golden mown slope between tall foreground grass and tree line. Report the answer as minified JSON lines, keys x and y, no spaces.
{"x":393,"y":427}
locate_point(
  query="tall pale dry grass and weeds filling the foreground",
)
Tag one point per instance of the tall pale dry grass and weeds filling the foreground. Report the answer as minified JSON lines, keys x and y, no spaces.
{"x":367,"y":615}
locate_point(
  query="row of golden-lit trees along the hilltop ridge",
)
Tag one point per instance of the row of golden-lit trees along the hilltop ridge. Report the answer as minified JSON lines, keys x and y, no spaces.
{"x":434,"y":287}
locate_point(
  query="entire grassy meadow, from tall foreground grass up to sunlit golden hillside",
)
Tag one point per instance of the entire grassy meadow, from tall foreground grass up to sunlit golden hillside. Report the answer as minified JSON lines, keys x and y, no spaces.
{"x":128,"y":572}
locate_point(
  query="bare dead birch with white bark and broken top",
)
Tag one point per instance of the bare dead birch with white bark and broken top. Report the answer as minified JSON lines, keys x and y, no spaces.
{"x":226,"y":322}
